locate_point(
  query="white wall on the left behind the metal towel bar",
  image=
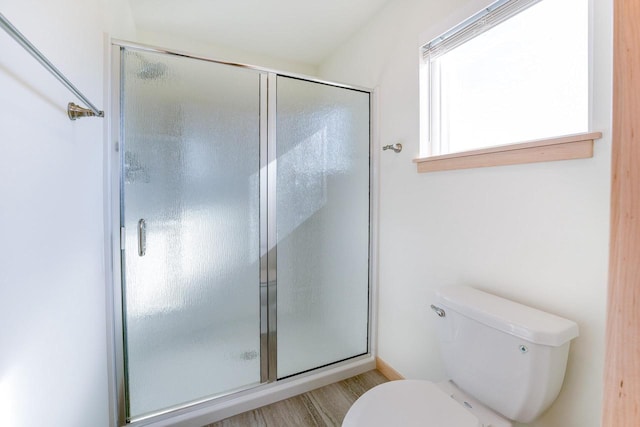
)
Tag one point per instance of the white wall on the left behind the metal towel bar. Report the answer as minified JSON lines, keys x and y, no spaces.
{"x":53,"y":359}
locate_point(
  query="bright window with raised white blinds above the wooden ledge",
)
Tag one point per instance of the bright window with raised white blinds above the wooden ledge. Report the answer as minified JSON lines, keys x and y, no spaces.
{"x":514,"y":72}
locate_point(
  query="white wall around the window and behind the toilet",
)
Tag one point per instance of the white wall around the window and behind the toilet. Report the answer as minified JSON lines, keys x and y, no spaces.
{"x":535,"y":233}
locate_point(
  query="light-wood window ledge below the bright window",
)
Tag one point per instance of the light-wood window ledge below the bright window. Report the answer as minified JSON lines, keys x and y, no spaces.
{"x":578,"y":146}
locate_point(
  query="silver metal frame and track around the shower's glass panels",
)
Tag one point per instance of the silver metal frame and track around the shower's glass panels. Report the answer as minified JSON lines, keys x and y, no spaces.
{"x":224,"y":404}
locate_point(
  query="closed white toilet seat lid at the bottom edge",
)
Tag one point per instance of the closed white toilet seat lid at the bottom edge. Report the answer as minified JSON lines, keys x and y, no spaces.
{"x":408,"y":403}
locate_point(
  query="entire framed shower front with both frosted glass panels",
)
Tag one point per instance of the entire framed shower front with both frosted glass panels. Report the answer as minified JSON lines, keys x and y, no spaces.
{"x":244,"y":237}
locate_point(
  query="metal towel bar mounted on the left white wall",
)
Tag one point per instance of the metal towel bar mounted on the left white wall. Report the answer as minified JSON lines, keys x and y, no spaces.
{"x":73,"y":111}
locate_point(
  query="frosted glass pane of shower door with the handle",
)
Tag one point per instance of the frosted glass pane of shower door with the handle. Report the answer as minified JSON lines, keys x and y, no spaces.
{"x":190,"y":158}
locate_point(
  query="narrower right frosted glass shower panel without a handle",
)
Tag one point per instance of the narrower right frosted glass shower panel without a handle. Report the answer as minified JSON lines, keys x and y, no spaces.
{"x":322,"y":224}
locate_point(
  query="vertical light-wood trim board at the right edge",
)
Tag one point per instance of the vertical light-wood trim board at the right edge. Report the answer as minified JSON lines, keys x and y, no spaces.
{"x":622,"y":370}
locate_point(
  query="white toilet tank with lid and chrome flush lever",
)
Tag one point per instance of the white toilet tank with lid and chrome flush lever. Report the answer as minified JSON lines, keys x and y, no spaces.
{"x":510,"y":357}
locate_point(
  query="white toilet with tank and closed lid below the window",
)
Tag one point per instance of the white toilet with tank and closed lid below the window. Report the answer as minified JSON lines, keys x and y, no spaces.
{"x":506,"y":362}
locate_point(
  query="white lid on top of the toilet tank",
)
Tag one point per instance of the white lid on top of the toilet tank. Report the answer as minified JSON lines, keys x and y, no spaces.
{"x":525,"y":322}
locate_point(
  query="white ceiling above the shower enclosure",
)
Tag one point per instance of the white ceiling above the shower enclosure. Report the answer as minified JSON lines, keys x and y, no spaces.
{"x":304,"y":31}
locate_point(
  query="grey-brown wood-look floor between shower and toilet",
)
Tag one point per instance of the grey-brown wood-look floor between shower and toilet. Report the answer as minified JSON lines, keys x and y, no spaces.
{"x":325,"y":406}
